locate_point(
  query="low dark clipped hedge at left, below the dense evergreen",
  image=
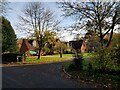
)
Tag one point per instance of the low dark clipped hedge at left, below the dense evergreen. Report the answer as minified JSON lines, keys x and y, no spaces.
{"x":10,"y":57}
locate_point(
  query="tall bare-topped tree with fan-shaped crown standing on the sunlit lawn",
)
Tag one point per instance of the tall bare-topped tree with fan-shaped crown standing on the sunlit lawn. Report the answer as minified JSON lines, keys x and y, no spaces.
{"x":38,"y":20}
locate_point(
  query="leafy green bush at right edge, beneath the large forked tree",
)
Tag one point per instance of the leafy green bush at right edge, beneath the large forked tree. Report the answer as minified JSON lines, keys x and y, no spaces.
{"x":106,"y":58}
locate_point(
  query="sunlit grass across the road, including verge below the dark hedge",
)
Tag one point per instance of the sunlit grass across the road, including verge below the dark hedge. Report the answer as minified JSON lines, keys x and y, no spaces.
{"x":46,"y":59}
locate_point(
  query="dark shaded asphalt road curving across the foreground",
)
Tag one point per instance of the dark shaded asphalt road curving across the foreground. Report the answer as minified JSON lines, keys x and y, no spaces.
{"x":37,"y":76}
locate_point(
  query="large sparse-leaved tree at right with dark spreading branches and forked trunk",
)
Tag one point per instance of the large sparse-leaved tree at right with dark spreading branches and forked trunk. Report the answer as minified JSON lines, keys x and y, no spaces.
{"x":100,"y":17}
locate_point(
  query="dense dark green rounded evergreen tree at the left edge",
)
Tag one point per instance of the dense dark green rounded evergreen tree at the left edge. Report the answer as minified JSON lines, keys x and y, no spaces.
{"x":9,"y":42}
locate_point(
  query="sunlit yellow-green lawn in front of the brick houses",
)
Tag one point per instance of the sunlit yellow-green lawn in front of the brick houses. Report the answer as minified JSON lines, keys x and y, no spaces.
{"x":53,"y":58}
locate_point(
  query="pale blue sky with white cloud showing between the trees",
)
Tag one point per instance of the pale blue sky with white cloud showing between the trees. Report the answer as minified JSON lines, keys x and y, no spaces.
{"x":15,"y":12}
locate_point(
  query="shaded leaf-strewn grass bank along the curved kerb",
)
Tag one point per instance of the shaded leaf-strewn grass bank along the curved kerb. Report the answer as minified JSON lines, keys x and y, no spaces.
{"x":96,"y":78}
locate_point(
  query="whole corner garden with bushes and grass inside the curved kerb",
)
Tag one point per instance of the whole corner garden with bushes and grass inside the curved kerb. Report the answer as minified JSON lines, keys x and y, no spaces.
{"x":88,"y":68}
